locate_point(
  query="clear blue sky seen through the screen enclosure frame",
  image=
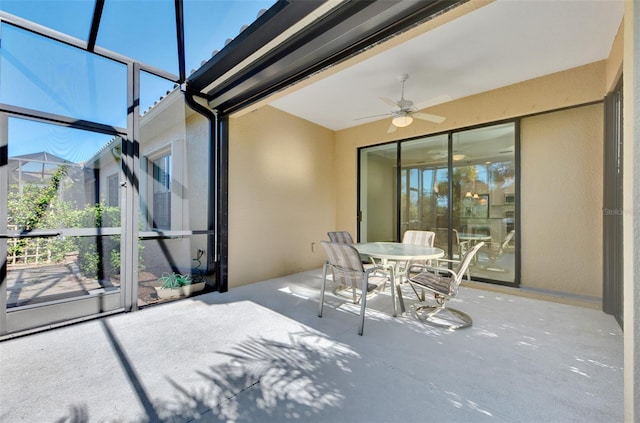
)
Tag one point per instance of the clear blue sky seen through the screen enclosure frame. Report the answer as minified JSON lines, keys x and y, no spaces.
{"x":41,"y":74}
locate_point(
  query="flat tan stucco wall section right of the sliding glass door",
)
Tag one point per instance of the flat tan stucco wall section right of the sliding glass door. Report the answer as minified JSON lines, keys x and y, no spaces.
{"x":561,"y":201}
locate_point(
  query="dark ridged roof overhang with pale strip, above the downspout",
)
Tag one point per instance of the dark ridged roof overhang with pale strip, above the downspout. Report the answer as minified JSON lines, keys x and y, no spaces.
{"x":296,"y":39}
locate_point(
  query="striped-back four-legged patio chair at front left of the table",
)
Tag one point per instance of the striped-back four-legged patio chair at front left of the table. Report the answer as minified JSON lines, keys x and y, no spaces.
{"x":347,"y":269}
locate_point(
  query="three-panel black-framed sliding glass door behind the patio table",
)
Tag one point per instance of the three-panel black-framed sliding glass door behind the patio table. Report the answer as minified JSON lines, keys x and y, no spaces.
{"x":461,"y":185}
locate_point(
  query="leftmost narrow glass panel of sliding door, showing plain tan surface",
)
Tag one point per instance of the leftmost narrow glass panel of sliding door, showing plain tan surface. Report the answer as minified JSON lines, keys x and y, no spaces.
{"x":378,"y":192}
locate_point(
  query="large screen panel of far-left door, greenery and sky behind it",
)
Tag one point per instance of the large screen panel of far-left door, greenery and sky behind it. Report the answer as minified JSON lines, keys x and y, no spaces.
{"x":62,"y":226}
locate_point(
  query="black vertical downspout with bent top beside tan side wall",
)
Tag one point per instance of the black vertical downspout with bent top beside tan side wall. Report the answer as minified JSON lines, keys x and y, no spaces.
{"x":217,"y":195}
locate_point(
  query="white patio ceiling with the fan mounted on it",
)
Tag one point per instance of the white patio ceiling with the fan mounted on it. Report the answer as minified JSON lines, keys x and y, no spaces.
{"x":503,"y":43}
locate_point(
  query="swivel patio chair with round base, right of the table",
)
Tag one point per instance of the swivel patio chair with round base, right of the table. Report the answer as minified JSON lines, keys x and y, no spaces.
{"x":444,"y":284}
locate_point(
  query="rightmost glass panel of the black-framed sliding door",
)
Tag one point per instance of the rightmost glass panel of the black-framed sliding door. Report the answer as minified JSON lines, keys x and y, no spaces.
{"x":484,"y":199}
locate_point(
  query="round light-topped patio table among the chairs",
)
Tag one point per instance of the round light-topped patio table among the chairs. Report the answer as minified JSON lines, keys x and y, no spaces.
{"x":396,"y":252}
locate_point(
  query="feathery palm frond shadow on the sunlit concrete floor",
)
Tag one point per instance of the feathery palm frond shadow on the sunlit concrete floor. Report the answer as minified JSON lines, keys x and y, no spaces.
{"x":266,"y":379}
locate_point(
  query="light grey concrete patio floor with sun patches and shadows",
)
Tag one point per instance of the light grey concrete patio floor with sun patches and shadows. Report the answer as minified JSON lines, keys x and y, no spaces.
{"x":259,"y":353}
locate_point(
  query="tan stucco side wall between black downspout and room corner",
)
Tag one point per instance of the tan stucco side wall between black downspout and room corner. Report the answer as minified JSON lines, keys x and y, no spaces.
{"x":281,"y":195}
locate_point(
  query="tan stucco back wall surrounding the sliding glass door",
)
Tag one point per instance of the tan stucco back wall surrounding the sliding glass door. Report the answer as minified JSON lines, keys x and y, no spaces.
{"x":582,"y":150}
